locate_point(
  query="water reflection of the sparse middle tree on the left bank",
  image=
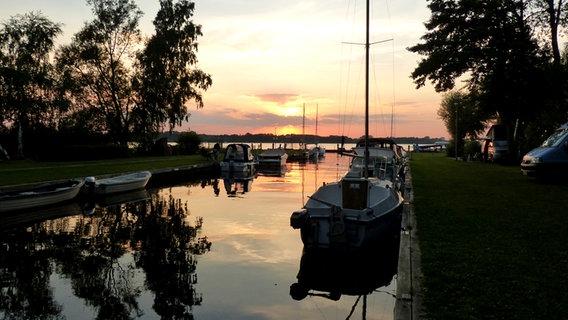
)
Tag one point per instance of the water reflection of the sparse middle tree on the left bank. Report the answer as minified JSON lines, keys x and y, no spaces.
{"x":95,"y":269}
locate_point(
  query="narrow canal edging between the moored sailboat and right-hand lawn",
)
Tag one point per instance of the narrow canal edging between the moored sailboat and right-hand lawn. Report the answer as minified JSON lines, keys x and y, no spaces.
{"x":408,"y":305}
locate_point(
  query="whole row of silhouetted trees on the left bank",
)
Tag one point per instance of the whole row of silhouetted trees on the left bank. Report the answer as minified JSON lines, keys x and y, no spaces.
{"x":110,"y":86}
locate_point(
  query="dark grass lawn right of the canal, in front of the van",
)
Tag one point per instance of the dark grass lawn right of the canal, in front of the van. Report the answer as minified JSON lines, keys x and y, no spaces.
{"x":494,"y":243}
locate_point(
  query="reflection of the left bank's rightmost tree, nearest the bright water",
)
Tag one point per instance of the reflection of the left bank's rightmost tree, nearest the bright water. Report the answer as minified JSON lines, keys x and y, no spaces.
{"x":167,"y":255}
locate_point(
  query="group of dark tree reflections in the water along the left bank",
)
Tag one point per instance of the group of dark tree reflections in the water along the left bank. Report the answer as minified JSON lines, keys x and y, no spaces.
{"x":93,"y":253}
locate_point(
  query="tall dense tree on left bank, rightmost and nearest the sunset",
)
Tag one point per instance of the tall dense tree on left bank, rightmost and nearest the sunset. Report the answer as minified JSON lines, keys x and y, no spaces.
{"x":168,"y":78}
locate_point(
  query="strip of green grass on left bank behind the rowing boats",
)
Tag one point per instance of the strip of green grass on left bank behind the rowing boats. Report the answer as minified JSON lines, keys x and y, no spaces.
{"x":27,"y":171}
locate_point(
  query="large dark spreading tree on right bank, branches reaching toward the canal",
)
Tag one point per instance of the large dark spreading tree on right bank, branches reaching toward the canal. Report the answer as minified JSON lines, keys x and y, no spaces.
{"x":490,"y":45}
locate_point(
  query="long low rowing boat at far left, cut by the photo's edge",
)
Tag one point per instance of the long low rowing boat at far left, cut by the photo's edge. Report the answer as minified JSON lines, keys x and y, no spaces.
{"x":40,"y":196}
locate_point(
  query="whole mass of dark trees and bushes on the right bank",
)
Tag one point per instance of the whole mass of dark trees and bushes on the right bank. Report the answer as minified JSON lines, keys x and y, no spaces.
{"x":508,"y":59}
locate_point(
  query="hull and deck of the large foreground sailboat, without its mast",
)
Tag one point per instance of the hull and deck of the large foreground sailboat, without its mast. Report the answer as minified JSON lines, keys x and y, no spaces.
{"x":333,"y":218}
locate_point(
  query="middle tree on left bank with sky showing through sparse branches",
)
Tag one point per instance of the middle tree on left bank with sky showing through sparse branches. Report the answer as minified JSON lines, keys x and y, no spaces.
{"x":100,"y":60}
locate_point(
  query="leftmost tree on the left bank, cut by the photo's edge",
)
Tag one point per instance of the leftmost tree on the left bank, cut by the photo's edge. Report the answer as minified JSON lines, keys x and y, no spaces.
{"x":26,"y":73}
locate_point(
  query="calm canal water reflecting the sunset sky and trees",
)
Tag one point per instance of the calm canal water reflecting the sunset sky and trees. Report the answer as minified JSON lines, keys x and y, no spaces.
{"x":202,"y":250}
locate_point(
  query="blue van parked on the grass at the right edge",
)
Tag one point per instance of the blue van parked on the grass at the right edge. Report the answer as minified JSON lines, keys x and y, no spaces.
{"x":551,"y":158}
